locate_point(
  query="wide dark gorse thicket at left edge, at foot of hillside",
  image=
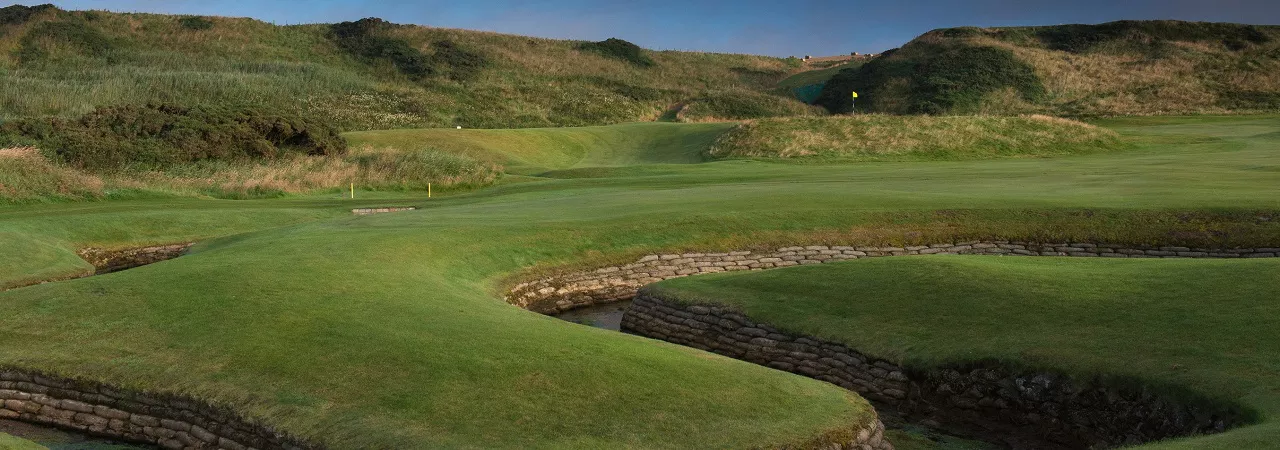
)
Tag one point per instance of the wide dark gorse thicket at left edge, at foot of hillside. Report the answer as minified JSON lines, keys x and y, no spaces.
{"x":161,"y":136}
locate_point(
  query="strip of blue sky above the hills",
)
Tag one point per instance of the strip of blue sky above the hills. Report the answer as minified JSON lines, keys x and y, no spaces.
{"x":780,"y":29}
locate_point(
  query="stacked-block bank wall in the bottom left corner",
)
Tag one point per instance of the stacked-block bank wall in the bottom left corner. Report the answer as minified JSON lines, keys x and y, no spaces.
{"x":168,"y":421}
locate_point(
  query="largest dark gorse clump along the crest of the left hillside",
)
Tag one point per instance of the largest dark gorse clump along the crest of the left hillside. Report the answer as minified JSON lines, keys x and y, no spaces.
{"x":369,"y":40}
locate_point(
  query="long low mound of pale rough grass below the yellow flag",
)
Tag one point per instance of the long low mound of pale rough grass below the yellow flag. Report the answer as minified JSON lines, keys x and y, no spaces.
{"x":886,"y":137}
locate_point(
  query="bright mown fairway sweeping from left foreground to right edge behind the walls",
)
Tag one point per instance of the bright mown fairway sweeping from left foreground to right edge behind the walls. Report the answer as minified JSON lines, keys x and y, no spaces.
{"x":390,"y":332}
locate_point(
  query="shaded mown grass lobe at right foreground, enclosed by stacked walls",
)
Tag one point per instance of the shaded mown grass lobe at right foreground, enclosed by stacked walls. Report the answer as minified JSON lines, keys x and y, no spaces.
{"x":1210,"y":327}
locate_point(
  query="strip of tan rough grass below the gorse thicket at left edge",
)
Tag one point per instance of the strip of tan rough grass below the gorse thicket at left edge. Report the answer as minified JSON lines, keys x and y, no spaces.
{"x":30,"y":178}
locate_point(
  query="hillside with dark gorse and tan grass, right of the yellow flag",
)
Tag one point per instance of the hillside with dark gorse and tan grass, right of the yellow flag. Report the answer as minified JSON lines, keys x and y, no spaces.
{"x":1121,"y":68}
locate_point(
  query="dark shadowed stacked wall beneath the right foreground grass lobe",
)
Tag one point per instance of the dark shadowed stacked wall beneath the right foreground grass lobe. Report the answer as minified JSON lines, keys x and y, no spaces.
{"x":988,"y":401}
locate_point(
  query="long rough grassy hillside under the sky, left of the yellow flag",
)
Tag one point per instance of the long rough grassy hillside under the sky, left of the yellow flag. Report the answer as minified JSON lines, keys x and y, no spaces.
{"x":365,"y":75}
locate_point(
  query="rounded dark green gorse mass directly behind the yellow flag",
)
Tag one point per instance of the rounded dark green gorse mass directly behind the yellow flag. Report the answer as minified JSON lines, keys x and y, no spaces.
{"x":932,"y":79}
